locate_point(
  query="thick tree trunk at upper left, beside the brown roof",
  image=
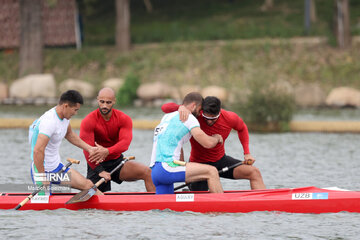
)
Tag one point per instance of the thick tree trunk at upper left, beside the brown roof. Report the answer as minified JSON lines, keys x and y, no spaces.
{"x":31,"y":37}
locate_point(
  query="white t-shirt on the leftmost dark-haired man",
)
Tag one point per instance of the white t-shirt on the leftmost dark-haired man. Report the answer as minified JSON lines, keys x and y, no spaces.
{"x":50,"y":125}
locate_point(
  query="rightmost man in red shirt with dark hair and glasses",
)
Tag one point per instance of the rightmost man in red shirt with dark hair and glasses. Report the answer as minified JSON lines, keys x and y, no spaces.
{"x":214,"y":120}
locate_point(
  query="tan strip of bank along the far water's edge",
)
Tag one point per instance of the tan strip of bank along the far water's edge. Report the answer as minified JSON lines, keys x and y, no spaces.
{"x":294,"y":126}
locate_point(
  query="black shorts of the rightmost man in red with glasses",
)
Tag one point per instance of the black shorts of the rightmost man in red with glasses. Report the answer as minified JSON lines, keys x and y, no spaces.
{"x":225,"y":161}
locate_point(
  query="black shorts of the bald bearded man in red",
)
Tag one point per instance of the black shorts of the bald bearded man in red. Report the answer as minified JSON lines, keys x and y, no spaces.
{"x":108,"y":166}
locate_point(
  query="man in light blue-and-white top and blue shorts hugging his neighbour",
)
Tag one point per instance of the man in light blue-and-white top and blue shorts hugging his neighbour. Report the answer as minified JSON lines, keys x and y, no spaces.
{"x":169,"y":137}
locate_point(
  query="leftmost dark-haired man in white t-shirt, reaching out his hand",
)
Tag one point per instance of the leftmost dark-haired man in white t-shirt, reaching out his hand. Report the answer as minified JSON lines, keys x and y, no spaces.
{"x":46,"y":135}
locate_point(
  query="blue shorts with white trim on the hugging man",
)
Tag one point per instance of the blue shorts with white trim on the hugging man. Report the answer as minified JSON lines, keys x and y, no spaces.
{"x":164,"y":175}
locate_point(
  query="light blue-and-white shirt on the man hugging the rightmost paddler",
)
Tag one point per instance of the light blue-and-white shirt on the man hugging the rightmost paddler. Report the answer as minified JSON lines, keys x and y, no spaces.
{"x":169,"y":137}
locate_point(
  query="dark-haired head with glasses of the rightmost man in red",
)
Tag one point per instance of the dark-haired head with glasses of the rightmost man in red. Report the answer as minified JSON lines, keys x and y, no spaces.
{"x":211,"y":109}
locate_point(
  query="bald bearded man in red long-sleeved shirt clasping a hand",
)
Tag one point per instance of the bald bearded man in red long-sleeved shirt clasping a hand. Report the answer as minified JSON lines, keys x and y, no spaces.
{"x":111,"y":131}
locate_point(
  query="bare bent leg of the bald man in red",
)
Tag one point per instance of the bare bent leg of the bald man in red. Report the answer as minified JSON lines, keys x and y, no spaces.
{"x":132,"y":171}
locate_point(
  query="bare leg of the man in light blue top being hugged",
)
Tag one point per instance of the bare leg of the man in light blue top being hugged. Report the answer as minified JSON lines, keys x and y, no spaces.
{"x":198,"y":171}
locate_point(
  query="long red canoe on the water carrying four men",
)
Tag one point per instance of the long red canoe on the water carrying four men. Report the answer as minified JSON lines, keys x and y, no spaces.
{"x":297,"y":200}
